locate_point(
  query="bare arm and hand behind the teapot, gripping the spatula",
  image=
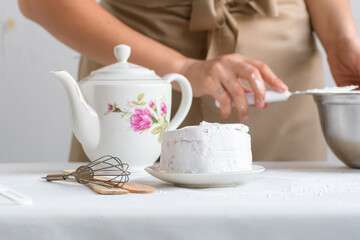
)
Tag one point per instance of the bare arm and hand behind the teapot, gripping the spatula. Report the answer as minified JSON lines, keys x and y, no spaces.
{"x":219,"y":77}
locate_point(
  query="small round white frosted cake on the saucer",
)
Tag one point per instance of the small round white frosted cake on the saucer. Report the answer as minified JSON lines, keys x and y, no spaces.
{"x":207,"y":148}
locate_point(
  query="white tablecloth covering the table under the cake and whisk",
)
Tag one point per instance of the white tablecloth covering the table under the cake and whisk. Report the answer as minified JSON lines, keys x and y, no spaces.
{"x":288,"y":201}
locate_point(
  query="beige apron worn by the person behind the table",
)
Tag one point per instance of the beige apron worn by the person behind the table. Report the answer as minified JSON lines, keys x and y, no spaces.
{"x":277,"y":32}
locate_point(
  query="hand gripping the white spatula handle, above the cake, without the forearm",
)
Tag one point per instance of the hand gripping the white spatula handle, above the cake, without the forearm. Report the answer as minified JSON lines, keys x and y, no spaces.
{"x":221,"y":78}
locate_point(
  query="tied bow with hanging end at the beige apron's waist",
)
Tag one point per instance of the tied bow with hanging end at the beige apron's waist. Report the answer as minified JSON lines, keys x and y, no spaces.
{"x":216,"y":17}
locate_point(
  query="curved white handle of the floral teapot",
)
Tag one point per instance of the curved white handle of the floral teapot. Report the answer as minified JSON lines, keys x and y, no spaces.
{"x":186,"y":98}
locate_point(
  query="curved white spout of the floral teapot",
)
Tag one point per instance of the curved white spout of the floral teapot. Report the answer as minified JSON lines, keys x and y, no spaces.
{"x":85,"y":121}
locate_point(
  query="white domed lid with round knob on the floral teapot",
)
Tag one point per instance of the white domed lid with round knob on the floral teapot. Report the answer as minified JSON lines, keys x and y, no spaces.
{"x":122,"y":70}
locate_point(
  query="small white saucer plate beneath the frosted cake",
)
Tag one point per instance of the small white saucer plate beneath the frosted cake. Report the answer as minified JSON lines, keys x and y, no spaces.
{"x":204,"y":180}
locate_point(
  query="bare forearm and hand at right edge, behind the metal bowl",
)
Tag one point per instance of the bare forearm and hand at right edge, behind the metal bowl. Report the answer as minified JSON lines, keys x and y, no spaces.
{"x":335,"y":26}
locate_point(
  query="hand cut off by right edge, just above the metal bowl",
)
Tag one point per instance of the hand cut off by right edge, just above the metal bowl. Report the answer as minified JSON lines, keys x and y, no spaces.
{"x":344,"y":61}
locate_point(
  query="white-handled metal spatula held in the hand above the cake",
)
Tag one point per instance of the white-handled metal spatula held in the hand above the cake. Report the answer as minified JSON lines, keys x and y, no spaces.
{"x":272,"y":96}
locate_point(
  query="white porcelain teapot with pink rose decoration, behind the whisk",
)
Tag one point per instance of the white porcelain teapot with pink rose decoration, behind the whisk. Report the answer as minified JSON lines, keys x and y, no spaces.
{"x":123,"y":109}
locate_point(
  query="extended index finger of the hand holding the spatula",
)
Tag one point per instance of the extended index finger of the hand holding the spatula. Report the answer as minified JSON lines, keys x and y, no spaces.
{"x":269,"y":76}
